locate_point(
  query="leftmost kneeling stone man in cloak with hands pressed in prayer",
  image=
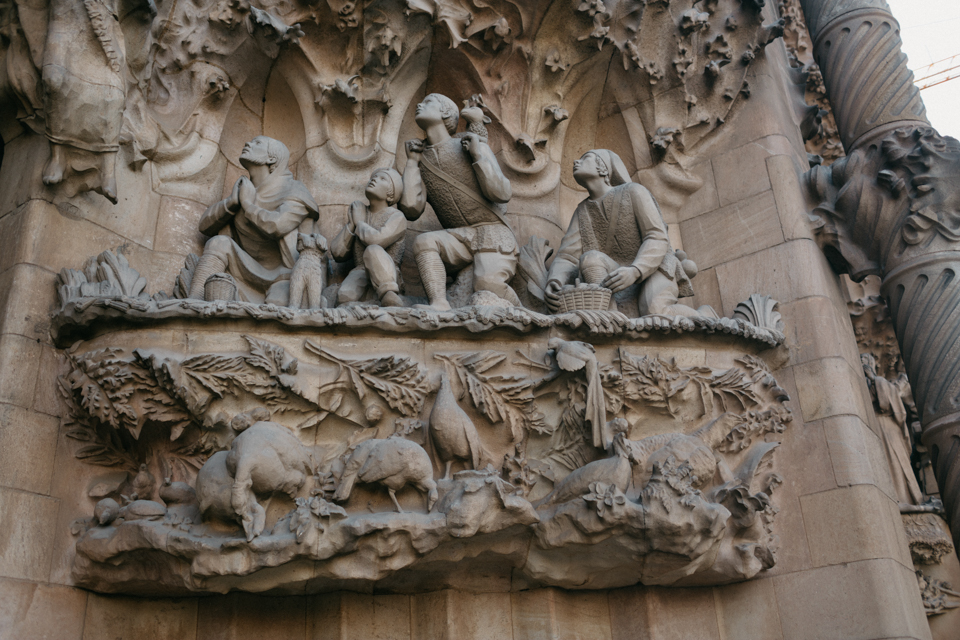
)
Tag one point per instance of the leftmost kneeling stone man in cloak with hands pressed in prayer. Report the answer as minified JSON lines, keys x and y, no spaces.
{"x":254,"y":230}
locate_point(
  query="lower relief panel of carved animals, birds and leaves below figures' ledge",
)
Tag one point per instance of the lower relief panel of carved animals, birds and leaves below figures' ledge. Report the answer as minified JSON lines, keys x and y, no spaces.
{"x":262,"y":444}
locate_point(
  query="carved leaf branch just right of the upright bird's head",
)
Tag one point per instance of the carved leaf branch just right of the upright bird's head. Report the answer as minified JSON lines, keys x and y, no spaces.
{"x":499,"y":398}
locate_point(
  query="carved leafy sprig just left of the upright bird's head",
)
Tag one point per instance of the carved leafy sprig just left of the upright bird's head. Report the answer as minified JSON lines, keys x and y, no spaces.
{"x":400,"y":381}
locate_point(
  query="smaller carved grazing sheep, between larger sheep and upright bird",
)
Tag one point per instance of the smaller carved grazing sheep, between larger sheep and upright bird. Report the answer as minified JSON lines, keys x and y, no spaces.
{"x":394,"y":463}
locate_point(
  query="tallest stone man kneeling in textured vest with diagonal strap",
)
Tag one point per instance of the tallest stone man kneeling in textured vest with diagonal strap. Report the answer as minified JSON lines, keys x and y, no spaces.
{"x":462,"y":181}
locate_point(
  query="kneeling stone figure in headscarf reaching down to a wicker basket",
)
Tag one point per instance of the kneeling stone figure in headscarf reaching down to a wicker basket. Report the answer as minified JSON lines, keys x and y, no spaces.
{"x":616,"y":238}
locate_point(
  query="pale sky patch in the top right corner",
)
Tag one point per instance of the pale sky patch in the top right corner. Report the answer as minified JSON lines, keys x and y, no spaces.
{"x":929,"y":29}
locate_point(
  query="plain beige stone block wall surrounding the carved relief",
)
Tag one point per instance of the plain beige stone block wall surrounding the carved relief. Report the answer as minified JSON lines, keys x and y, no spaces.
{"x":843,"y":571}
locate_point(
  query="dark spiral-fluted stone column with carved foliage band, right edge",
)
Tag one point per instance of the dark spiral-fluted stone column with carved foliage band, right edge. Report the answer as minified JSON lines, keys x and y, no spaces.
{"x":891,"y":209}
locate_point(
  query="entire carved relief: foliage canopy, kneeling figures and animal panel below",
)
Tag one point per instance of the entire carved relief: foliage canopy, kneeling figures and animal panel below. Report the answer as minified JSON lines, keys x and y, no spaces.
{"x":607,"y":464}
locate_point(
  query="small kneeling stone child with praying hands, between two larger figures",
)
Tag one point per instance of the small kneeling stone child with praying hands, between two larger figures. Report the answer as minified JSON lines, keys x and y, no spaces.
{"x":374,"y":235}
